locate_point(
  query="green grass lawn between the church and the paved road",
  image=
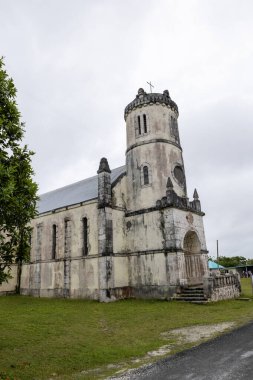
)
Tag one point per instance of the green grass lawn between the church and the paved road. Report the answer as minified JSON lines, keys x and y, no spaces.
{"x":59,"y":338}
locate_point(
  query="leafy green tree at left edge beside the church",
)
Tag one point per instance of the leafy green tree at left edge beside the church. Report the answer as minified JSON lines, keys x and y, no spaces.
{"x":18,"y":191}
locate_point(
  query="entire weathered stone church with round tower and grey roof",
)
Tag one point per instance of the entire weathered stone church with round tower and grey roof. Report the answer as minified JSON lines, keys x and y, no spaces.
{"x":129,"y":232}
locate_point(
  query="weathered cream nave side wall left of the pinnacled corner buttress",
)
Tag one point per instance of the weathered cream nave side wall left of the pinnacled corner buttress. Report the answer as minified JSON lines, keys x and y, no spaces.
{"x":69,"y":272}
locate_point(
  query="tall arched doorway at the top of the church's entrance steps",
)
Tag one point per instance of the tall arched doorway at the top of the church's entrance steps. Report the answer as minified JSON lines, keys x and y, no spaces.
{"x":193,"y":259}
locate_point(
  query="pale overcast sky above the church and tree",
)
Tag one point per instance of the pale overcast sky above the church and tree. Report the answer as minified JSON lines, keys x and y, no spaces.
{"x":78,"y":63}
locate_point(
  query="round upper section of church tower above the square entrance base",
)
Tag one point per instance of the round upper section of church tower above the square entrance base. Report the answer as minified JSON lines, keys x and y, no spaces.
{"x":154,"y":153}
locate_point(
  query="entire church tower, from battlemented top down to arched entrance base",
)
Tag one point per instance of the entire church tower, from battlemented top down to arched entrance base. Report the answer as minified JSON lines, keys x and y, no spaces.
{"x":164,"y":230}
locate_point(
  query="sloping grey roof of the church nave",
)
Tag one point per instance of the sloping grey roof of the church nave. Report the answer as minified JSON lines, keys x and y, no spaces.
{"x":75,"y":193}
